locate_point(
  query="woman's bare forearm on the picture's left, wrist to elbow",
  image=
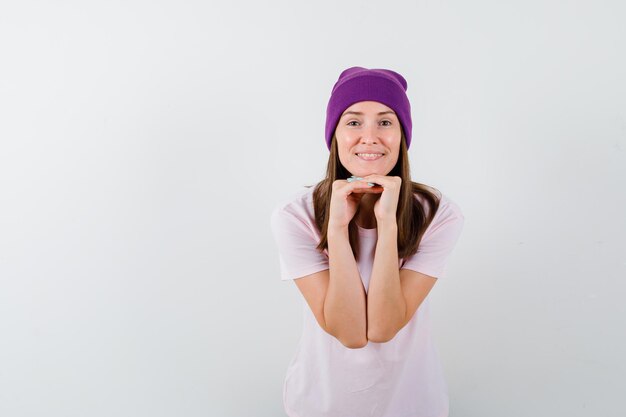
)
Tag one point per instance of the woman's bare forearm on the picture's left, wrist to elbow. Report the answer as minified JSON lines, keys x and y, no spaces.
{"x":345,"y":303}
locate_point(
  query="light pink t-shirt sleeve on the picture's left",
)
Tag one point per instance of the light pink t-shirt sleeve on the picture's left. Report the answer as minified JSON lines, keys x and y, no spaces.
{"x":297,"y":253}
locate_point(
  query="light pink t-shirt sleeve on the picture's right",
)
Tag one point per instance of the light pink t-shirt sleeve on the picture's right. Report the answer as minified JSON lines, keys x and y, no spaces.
{"x":437,"y":242}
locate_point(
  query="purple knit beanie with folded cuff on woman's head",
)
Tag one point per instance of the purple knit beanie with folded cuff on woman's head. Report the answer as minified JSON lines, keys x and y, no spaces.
{"x":362,"y":84}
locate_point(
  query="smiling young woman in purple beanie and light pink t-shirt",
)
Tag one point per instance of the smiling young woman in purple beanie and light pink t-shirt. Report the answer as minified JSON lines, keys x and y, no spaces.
{"x":365,"y":247}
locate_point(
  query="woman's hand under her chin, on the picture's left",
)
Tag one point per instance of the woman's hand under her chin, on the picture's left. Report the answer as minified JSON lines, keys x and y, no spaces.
{"x":344,"y":200}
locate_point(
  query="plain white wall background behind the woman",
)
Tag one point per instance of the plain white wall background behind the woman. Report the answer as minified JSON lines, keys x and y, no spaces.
{"x":144,"y":144}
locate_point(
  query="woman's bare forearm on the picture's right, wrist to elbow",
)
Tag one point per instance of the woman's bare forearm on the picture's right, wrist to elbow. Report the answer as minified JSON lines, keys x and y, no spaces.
{"x":386,"y":306}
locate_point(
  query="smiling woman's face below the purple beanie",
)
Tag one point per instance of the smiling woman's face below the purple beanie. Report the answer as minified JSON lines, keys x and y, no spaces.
{"x":368,"y":127}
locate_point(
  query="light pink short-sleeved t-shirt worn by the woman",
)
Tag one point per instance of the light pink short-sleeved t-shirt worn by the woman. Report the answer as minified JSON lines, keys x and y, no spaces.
{"x":399,"y":378}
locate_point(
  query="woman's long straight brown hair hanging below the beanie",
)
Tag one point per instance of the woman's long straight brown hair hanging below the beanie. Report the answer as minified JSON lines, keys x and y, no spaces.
{"x":411,"y":217}
